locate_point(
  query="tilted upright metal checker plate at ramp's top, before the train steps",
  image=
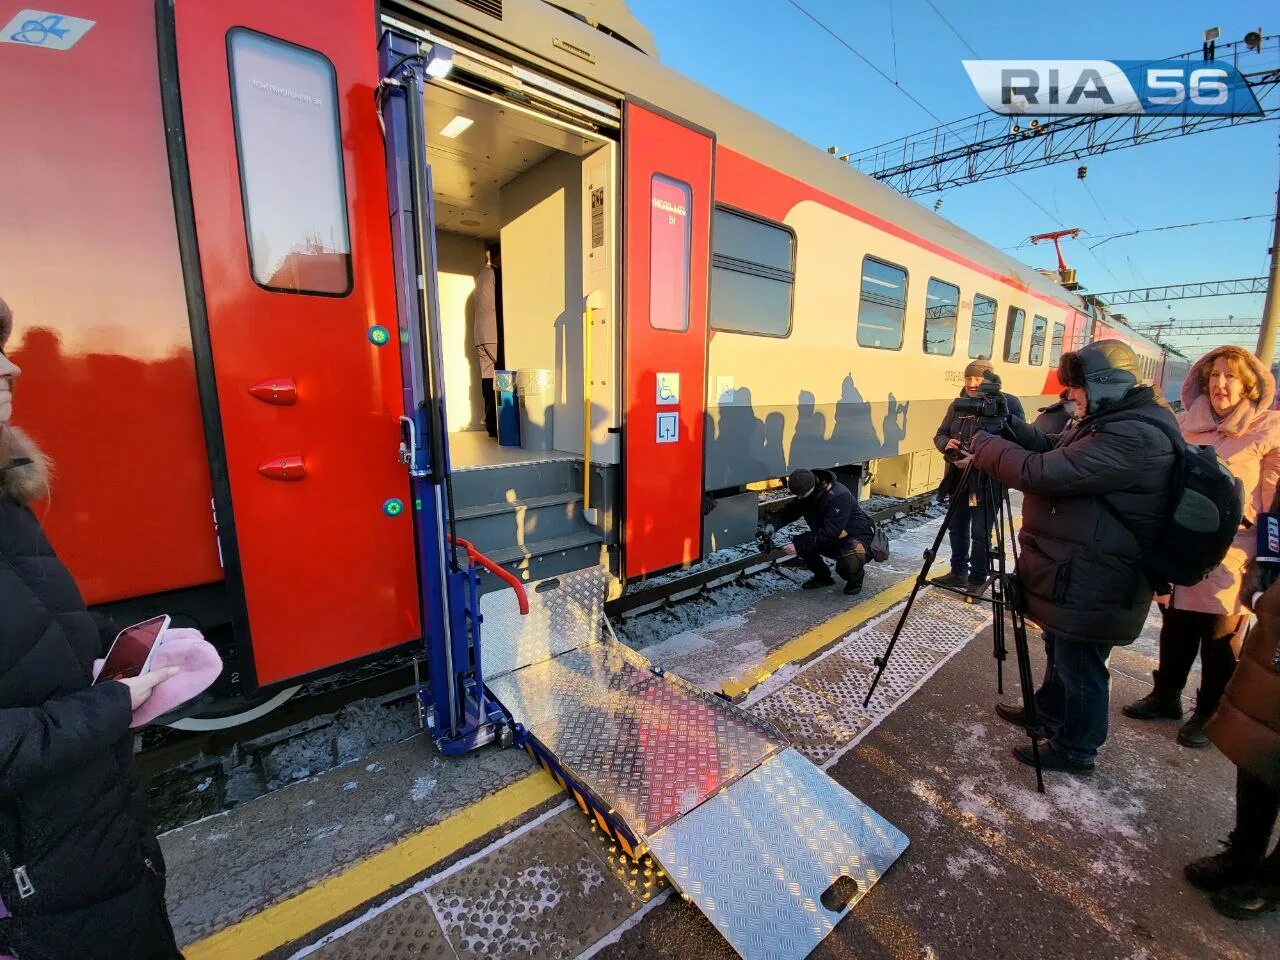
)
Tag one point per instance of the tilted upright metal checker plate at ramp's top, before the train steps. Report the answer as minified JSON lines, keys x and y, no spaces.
{"x":564,"y":614}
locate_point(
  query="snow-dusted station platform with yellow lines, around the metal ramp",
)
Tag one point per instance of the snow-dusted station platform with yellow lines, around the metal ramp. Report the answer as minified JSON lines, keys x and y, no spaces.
{"x":406,"y":854}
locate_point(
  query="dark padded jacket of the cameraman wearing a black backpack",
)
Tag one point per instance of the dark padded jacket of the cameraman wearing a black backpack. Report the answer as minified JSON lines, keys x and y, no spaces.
{"x":1078,"y":565}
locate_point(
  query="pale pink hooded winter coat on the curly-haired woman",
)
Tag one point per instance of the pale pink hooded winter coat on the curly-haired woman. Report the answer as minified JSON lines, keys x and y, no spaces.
{"x":1249,"y":440}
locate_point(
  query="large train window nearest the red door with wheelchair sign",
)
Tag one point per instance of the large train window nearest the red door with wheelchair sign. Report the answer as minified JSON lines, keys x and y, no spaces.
{"x":753,"y":275}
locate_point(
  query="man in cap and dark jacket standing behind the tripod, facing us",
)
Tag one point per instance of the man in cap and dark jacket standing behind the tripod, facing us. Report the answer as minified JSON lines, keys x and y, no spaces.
{"x":972,"y":520}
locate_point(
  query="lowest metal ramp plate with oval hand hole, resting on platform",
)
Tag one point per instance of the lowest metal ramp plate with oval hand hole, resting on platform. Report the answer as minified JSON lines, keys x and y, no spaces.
{"x":758,"y":857}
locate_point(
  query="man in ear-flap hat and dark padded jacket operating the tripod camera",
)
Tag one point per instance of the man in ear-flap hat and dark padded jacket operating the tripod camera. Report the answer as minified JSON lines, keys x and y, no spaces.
{"x":1081,"y":580}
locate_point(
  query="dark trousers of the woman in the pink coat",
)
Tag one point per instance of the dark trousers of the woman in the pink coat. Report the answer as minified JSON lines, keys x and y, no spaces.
{"x":1217,"y":638}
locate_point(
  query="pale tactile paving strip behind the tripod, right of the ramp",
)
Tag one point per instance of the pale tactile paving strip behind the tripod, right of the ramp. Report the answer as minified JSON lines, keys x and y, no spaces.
{"x":821,"y":708}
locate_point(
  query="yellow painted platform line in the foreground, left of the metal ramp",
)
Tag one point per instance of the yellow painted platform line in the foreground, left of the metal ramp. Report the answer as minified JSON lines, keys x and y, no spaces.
{"x":291,"y":920}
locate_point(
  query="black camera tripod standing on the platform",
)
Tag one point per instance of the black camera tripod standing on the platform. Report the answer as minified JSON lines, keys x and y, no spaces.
{"x":1005,"y":598}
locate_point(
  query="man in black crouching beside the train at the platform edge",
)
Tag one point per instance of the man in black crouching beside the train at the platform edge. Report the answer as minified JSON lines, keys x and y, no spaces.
{"x":838,"y":529}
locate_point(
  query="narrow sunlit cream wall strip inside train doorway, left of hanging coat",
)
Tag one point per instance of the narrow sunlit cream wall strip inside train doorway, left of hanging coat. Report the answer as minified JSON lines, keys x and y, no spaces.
{"x":460,"y":260}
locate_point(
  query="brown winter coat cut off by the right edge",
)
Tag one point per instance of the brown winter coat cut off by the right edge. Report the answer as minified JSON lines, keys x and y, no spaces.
{"x":1247,"y":724}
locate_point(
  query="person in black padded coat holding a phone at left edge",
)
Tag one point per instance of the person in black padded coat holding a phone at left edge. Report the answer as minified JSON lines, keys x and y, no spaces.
{"x":81,"y":874}
